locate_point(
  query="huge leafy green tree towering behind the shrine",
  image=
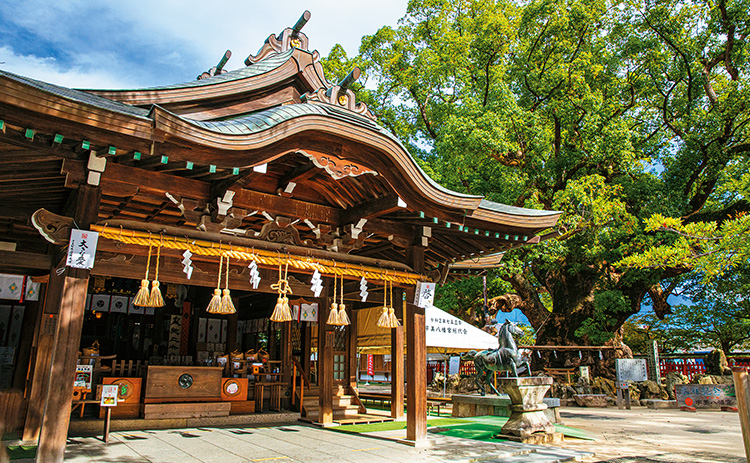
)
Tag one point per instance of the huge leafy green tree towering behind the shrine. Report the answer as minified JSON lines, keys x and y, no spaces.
{"x":609,"y":111}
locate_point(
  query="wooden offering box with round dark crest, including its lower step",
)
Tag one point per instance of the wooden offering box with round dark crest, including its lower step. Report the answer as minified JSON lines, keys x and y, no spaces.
{"x":183,"y":392}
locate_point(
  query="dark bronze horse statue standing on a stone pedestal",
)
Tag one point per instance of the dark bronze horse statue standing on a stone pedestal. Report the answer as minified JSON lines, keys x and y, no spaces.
{"x":504,"y":358}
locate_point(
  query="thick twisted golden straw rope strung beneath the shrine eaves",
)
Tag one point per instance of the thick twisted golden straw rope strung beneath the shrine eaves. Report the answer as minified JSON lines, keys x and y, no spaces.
{"x":267,"y":258}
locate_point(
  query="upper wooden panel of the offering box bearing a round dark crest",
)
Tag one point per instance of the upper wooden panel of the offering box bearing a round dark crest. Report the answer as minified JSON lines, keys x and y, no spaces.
{"x":182,"y":384}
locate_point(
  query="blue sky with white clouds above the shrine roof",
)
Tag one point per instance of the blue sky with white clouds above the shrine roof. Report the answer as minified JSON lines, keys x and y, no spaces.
{"x":136,"y":43}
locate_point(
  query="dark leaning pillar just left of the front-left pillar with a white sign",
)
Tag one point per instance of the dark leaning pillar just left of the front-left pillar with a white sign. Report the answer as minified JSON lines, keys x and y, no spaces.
{"x":42,"y":356}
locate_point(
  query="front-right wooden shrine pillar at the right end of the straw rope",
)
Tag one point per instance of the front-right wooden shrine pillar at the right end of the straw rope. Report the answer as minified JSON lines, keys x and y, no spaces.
{"x":416,"y":358}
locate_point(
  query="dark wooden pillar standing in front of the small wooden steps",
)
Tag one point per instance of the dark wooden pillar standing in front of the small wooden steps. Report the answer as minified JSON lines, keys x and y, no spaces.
{"x":326,"y":340}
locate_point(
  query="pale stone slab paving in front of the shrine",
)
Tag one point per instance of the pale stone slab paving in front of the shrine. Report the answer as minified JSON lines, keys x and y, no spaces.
{"x":294,"y":443}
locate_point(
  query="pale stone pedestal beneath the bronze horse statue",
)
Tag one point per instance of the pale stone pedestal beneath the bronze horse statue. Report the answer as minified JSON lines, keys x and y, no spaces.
{"x":528,"y":422}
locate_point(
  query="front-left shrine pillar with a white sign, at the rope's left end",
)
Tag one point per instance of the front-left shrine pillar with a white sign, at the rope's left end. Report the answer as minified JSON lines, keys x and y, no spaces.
{"x":72,"y":297}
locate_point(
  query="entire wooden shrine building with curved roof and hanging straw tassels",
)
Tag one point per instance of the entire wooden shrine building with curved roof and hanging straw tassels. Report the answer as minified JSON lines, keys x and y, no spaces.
{"x":209,"y":246}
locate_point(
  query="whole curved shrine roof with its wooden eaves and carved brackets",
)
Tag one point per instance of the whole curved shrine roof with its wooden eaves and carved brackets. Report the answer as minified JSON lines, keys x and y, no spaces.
{"x":271,"y":149}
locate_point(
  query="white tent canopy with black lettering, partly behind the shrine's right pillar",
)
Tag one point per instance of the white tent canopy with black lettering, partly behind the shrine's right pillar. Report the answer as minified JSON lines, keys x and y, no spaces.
{"x":444,"y":333}
